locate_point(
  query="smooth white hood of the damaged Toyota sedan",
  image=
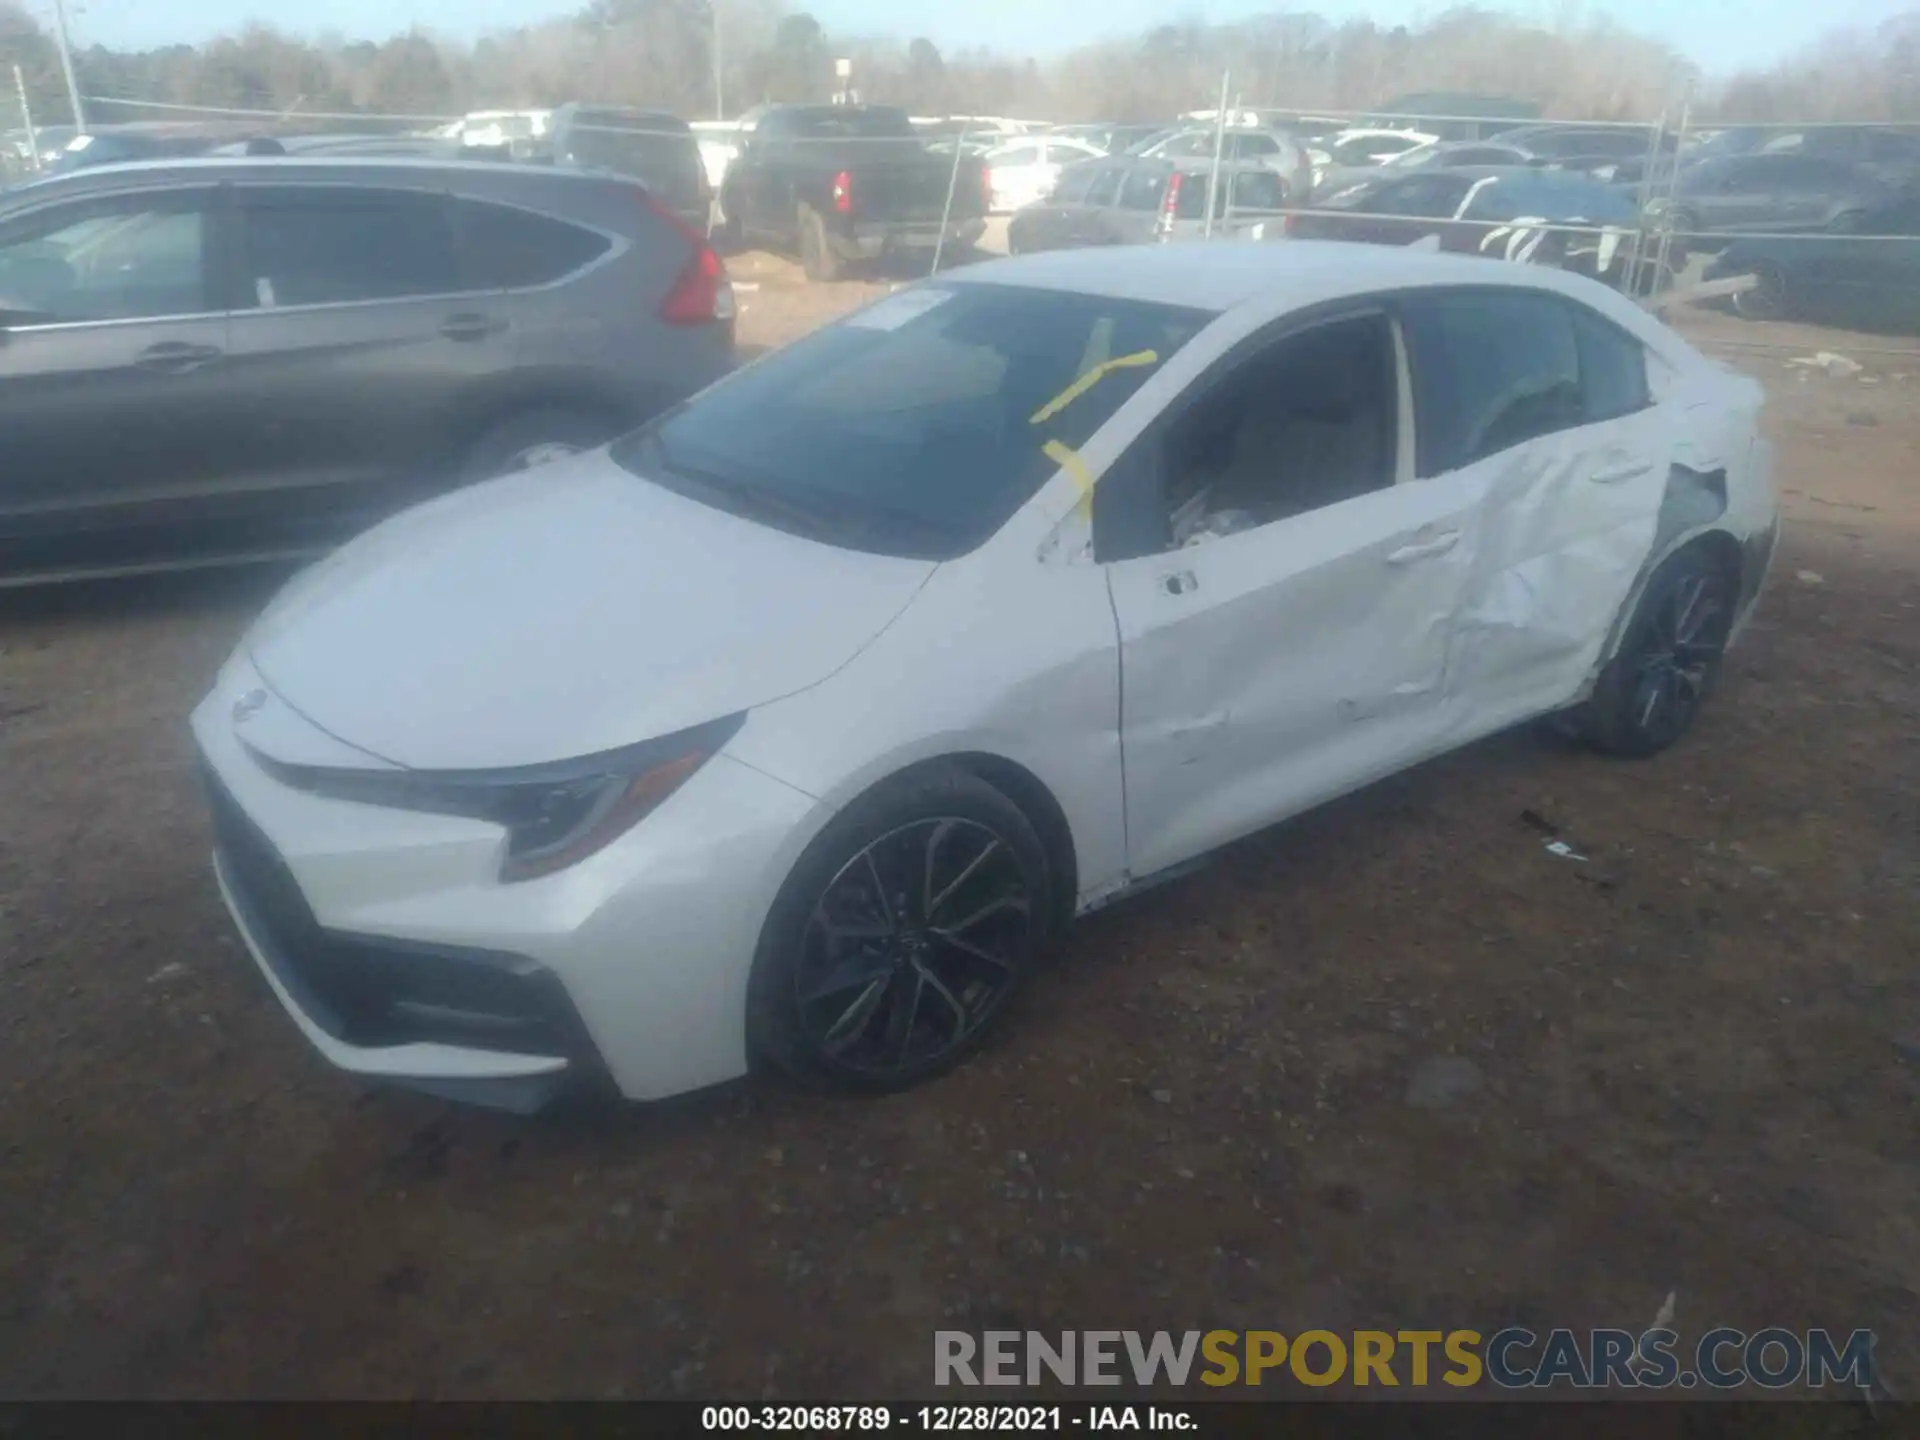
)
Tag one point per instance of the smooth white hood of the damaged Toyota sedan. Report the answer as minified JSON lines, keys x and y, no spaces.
{"x":560,"y":613}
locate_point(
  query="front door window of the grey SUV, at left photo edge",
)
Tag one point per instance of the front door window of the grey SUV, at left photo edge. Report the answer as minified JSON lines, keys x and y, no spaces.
{"x":107,"y":260}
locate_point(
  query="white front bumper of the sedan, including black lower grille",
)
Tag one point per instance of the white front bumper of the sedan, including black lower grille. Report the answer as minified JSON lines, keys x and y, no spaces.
{"x":400,"y":955}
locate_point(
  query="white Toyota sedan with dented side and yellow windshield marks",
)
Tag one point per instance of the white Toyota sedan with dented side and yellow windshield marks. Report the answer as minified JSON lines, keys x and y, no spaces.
{"x":792,"y":725}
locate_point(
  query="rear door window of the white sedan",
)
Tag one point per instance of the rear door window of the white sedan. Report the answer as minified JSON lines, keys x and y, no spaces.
{"x":1491,"y":372}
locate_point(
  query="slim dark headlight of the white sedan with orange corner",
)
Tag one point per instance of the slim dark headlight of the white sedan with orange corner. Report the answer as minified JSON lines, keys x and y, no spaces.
{"x":554,"y":815}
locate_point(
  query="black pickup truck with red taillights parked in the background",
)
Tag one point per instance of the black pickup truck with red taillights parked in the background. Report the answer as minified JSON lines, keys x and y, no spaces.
{"x":846,"y":183}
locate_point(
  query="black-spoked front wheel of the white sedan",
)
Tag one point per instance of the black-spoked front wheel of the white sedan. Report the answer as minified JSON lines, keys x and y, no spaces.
{"x":863,"y":986}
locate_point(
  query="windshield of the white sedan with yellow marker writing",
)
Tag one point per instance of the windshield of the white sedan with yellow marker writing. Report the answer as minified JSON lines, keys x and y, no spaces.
{"x":919,"y":425}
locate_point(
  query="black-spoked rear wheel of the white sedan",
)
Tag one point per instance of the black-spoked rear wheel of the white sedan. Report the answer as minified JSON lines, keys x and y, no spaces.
{"x":1669,"y":658}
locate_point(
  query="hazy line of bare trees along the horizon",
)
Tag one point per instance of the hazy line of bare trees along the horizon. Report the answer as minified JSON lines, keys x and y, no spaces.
{"x":663,"y":53}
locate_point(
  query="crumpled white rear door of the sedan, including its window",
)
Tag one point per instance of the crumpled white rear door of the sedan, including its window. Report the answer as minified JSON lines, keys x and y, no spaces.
{"x":1548,"y":406}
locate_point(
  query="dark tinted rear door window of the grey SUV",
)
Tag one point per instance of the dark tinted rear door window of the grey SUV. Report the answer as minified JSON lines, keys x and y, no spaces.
{"x":327,"y":247}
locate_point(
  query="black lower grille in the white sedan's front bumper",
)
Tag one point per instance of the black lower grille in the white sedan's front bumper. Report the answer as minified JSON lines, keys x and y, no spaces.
{"x":375,"y":992}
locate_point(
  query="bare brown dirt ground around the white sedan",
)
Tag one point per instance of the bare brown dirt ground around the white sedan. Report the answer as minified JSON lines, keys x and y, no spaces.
{"x":1692,"y":1059}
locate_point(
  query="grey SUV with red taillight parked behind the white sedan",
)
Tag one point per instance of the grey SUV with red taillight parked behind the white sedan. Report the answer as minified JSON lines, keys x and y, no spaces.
{"x":220,"y":360}
